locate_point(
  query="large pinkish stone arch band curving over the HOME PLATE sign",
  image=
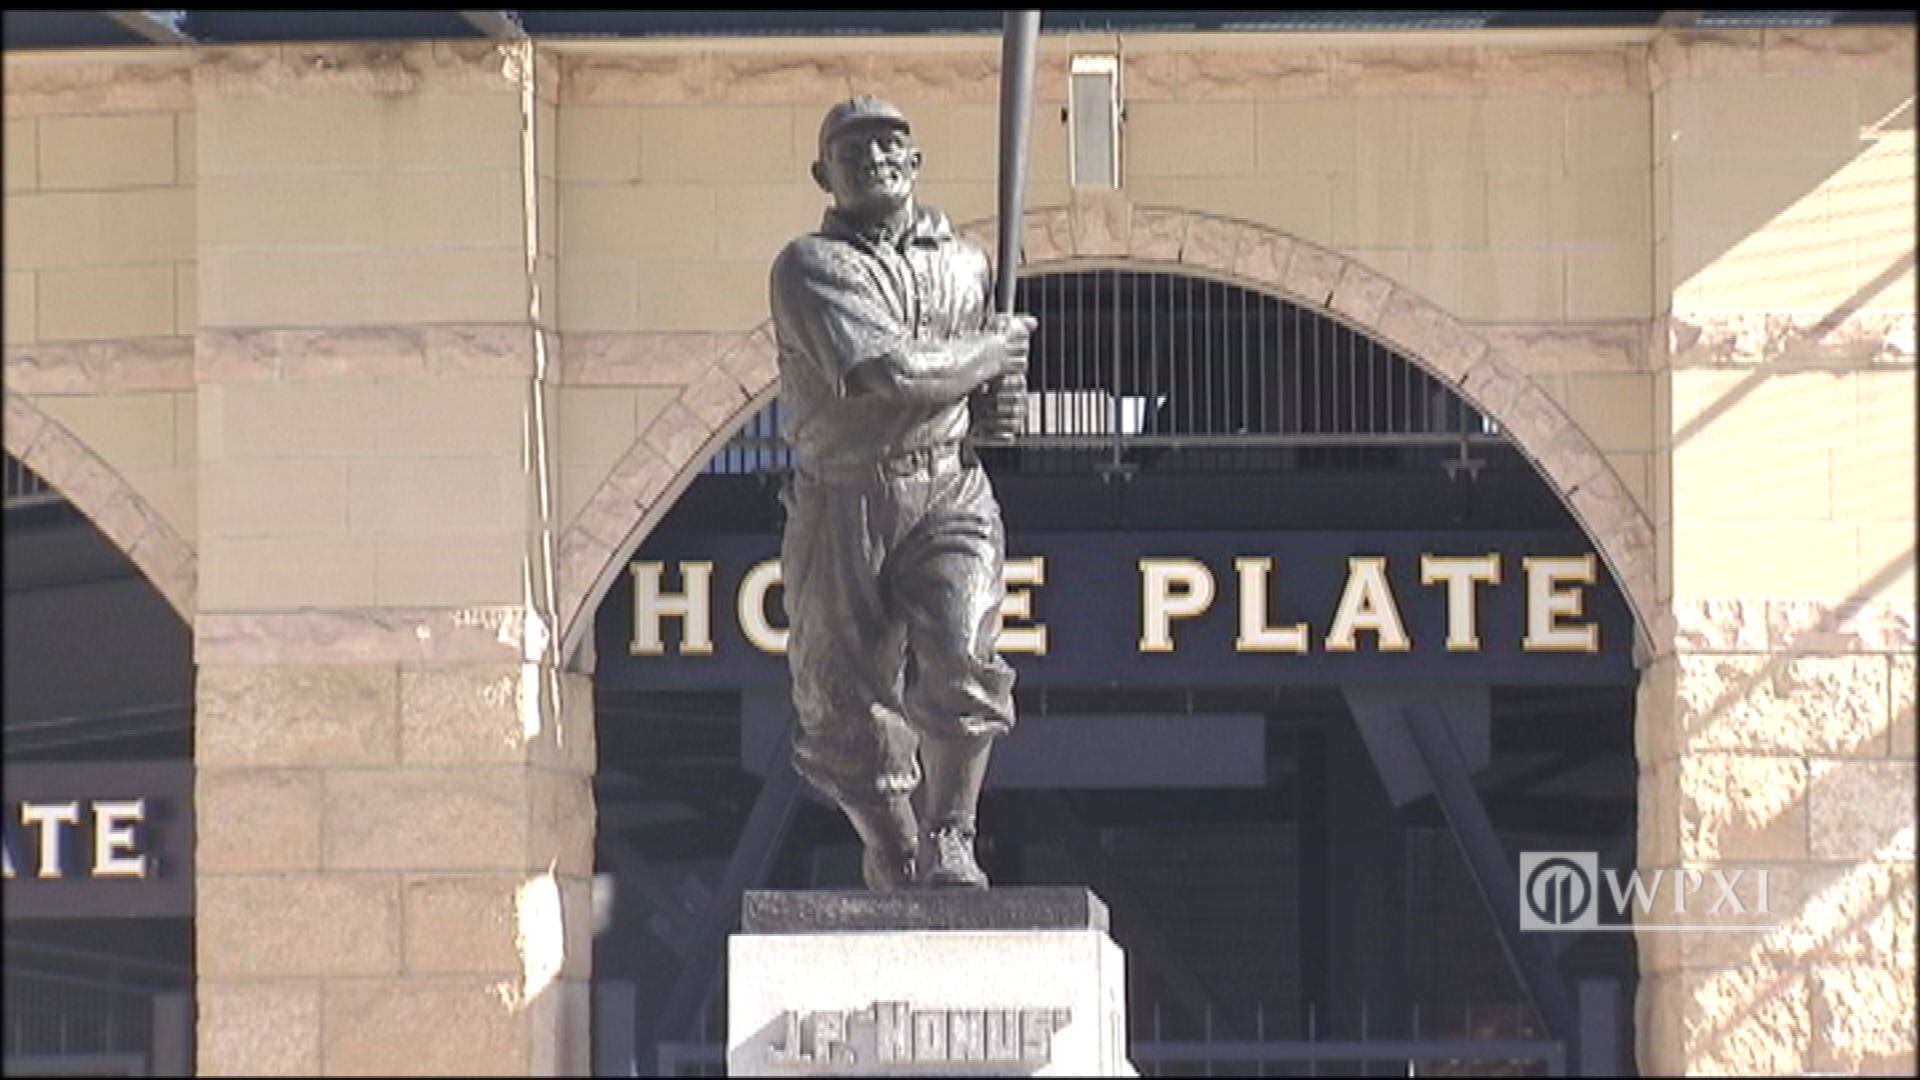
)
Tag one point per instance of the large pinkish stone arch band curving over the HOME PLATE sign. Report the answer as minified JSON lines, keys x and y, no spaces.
{"x":1105,"y":232}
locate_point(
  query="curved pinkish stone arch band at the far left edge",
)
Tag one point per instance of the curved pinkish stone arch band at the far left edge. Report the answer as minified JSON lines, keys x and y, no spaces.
{"x":107,"y":499}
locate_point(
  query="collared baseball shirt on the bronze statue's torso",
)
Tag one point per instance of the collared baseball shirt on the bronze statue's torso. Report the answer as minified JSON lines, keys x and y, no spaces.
{"x":842,"y":299}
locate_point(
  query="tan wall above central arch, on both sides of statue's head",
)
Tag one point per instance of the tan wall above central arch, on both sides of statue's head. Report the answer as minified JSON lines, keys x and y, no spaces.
{"x":1516,"y":203}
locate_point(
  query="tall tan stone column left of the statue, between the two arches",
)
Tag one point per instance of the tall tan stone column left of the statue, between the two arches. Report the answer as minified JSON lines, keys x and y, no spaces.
{"x":395,"y":777}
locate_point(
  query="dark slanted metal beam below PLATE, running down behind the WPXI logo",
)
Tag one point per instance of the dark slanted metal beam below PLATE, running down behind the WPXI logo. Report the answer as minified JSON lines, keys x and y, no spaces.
{"x":1531,"y":954}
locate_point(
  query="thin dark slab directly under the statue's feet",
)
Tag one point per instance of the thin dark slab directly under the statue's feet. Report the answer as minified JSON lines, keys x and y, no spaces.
{"x":936,"y":910}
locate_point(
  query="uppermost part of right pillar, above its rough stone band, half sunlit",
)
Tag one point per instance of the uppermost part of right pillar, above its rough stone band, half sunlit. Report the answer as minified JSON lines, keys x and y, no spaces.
{"x":1790,"y":224}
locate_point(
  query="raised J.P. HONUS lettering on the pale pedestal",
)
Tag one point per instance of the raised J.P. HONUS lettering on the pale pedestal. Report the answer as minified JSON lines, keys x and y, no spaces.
{"x":896,"y":1033}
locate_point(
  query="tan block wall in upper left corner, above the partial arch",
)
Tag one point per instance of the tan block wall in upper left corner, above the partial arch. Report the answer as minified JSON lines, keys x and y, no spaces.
{"x":101,"y":251}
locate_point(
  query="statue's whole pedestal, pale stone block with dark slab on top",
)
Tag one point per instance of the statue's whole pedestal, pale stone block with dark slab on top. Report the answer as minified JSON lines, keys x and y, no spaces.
{"x":999,"y":983}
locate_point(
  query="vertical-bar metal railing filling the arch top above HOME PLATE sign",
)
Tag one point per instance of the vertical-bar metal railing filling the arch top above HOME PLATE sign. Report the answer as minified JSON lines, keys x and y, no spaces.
{"x":1136,"y":366}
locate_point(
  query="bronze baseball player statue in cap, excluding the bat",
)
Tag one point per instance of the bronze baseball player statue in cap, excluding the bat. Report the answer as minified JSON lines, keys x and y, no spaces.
{"x":890,"y":360}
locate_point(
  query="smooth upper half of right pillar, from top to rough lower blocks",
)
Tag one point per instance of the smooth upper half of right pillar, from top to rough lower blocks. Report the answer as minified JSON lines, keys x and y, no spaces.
{"x":1790,"y":220}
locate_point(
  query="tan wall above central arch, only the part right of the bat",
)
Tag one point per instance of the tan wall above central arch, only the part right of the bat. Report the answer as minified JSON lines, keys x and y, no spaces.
{"x":1502,"y":199}
